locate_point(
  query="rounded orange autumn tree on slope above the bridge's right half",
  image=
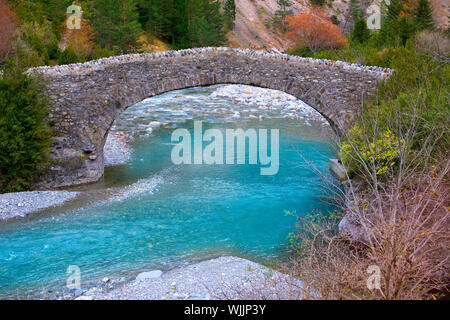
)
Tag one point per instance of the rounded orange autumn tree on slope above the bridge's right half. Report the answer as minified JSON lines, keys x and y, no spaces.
{"x":315,"y":31}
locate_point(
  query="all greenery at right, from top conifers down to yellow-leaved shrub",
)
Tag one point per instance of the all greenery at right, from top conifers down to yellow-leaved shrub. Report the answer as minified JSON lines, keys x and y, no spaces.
{"x":418,"y":89}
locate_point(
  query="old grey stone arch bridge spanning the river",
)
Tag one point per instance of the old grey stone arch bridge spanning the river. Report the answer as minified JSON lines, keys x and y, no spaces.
{"x":86,"y":98}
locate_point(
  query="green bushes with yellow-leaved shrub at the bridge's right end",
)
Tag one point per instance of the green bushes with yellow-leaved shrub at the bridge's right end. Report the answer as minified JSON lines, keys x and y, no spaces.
{"x":415,"y":96}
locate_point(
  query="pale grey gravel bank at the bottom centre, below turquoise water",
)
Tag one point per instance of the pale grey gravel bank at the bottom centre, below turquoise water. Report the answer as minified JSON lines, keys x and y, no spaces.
{"x":220,"y":278}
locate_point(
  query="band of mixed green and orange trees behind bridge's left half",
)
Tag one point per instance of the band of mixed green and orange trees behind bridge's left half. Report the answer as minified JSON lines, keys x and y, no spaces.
{"x":112,"y":27}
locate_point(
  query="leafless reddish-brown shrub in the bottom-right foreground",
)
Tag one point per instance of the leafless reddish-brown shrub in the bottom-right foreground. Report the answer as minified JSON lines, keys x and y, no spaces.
{"x":407,"y":238}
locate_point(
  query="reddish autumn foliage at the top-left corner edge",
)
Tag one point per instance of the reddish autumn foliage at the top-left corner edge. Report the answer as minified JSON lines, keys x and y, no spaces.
{"x":8,"y":25}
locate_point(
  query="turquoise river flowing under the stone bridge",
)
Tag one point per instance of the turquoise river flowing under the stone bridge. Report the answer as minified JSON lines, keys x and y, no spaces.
{"x":151,"y":214}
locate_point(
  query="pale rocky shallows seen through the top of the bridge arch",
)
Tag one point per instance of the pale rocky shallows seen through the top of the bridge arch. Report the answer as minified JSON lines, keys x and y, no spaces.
{"x":221,"y":103}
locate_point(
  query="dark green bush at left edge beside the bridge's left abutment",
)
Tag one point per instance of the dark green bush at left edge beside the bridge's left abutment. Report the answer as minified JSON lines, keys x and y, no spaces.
{"x":24,"y":136}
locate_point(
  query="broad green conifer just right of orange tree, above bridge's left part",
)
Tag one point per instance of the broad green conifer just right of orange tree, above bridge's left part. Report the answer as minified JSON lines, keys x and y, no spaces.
{"x":116,"y":23}
